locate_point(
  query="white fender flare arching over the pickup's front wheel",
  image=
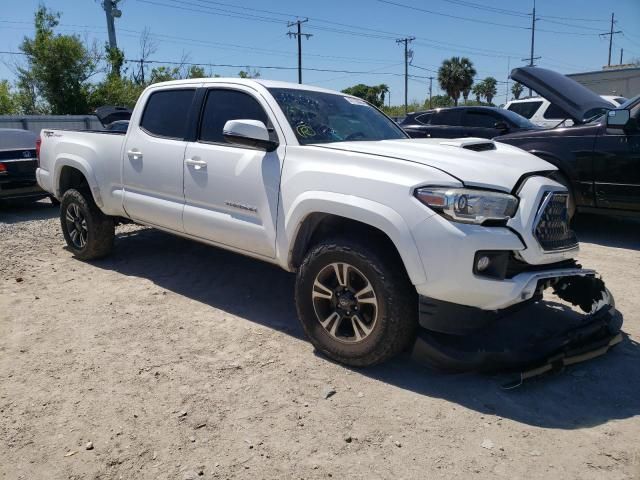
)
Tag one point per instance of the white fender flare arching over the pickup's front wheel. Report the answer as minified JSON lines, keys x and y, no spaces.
{"x":359,"y":209}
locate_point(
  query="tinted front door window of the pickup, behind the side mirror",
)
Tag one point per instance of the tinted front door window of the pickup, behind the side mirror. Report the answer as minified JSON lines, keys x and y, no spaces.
{"x":223,"y":105}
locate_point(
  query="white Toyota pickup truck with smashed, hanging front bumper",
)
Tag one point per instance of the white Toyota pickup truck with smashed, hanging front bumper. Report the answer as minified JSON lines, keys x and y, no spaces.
{"x":386,"y":233}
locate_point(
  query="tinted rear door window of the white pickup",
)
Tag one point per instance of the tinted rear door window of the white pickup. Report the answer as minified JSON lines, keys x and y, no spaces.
{"x":166,"y":113}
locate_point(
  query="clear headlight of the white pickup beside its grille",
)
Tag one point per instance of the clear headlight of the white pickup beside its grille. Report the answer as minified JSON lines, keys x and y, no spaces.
{"x":468,"y":205}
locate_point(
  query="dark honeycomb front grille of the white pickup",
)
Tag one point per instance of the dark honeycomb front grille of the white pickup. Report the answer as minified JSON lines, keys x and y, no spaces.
{"x":552,"y":223}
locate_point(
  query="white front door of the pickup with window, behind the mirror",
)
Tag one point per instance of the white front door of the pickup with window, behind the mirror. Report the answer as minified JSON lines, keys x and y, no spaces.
{"x":231,"y":192}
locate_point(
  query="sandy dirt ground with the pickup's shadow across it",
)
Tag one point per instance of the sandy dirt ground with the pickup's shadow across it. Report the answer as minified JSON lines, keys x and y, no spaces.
{"x":177,"y":361}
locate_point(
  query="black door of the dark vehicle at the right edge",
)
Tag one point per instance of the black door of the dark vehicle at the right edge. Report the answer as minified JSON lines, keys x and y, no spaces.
{"x":617,"y":168}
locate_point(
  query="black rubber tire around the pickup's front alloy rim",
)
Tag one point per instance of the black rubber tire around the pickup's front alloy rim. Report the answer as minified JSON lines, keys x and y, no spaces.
{"x":394,"y":327}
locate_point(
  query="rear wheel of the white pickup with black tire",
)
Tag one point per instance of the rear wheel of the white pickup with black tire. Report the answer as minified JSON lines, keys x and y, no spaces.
{"x":98,"y":229}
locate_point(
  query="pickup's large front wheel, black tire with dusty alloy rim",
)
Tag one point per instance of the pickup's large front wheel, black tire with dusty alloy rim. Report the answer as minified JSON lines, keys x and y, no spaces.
{"x":357,"y":306}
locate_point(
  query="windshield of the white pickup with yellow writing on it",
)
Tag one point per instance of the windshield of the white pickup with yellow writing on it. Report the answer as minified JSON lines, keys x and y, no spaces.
{"x":318,"y":117}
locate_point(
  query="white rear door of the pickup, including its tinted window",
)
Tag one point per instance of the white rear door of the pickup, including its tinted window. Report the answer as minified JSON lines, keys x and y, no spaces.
{"x":153,"y":155}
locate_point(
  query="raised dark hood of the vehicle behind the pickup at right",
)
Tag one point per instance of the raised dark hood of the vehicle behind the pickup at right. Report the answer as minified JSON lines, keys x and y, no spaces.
{"x":576,"y":100}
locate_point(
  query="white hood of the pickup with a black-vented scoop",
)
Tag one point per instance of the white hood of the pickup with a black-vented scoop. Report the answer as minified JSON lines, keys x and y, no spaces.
{"x":498,"y":167}
